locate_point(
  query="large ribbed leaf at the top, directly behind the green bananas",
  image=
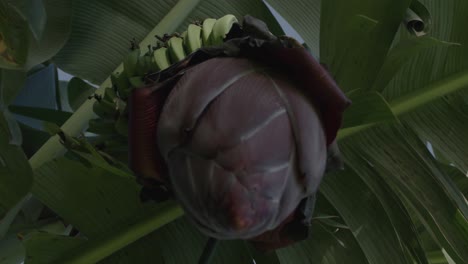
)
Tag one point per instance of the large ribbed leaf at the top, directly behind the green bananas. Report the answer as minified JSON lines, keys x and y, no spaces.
{"x":102,"y":50}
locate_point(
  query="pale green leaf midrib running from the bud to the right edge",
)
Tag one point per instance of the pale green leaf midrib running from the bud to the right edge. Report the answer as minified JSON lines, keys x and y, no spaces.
{"x":417,"y":99}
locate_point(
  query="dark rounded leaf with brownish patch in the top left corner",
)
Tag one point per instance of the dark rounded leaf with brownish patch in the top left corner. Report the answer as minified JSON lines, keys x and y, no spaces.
{"x":23,"y":49}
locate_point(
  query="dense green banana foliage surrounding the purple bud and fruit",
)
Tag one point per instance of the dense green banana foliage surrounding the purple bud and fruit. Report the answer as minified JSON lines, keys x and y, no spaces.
{"x":400,"y":199}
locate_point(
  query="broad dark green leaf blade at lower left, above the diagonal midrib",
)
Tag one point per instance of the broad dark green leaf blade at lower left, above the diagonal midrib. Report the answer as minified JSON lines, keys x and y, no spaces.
{"x":91,"y":199}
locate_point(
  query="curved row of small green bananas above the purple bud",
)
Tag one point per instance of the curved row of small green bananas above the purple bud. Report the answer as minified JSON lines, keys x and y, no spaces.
{"x":112,"y":123}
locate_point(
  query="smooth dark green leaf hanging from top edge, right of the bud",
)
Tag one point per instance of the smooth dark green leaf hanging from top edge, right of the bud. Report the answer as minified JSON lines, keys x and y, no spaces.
{"x":356,"y":36}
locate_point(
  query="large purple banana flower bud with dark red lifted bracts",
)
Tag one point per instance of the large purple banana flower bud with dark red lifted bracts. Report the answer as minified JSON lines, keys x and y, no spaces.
{"x":241,"y":134}
